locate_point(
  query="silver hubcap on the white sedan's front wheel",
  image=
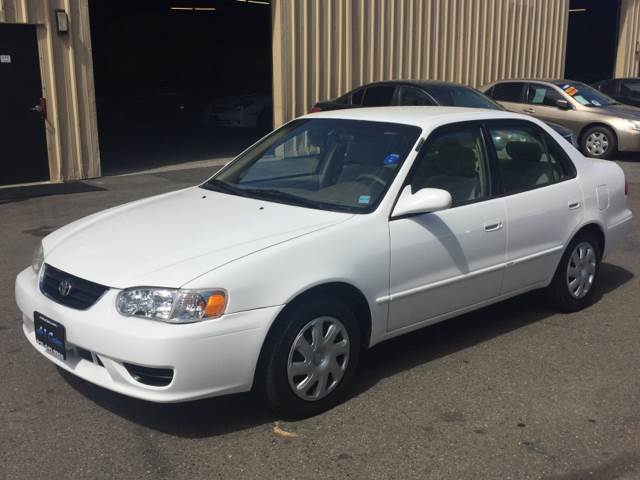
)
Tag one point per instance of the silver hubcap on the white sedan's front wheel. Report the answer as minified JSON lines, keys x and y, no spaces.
{"x":318,"y":358}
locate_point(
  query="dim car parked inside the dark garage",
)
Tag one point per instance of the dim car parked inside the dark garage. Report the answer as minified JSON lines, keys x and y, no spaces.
{"x":252,"y":110}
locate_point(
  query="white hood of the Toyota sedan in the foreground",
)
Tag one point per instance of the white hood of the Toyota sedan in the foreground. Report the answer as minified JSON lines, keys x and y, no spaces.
{"x":170,"y":239}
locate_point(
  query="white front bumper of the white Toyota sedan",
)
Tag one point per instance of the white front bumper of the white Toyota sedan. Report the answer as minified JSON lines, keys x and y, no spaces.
{"x":208,"y":358}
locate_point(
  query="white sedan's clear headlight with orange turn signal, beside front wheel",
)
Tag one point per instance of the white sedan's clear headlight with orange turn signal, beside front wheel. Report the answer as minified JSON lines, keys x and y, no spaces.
{"x":171,"y":305}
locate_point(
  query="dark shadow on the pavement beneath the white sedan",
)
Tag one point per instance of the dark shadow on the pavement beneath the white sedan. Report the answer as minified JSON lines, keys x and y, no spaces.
{"x":217,"y":416}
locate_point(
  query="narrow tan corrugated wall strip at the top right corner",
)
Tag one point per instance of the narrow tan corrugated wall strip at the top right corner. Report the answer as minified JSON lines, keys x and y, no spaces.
{"x":628,"y":38}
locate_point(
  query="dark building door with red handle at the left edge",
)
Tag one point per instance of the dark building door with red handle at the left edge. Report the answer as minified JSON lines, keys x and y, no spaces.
{"x":23,"y":147}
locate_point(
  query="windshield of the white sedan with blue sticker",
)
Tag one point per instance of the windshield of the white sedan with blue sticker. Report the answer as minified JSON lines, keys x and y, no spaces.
{"x":330,"y":164}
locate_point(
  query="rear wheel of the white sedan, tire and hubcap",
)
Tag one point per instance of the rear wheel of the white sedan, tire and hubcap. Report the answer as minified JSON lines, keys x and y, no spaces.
{"x":563,"y":295}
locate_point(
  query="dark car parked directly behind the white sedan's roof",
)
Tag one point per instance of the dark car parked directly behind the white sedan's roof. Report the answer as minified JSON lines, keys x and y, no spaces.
{"x":420,"y":93}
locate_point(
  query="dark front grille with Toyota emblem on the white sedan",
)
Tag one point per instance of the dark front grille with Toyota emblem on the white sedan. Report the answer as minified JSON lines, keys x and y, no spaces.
{"x":82,"y":294}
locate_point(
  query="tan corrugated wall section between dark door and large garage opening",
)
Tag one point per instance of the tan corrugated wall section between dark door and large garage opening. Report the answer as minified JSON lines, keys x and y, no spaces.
{"x":67,"y":81}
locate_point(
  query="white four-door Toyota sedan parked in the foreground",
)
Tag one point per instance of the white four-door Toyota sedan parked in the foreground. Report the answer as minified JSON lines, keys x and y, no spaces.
{"x":335,"y":232}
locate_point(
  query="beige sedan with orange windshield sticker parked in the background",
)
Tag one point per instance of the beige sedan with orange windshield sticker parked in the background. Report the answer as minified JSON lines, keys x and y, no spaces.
{"x":601,"y":125}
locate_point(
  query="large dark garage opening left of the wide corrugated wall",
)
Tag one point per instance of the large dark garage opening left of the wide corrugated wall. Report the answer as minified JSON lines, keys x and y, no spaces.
{"x":180,"y":81}
